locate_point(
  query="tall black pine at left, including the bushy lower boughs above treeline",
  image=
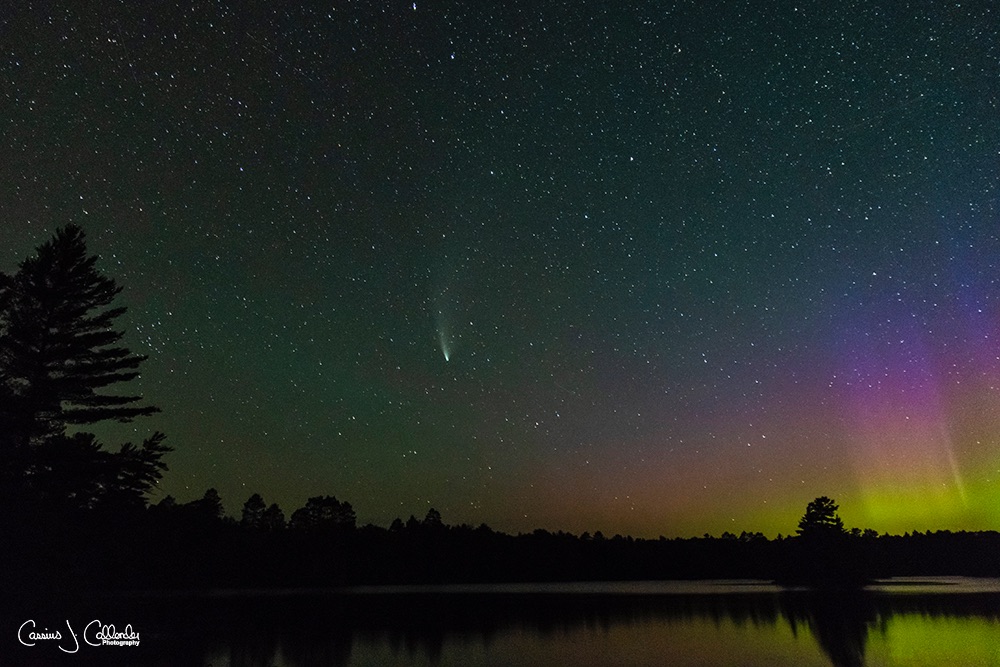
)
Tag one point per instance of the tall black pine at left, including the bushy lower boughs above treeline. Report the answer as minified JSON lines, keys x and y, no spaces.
{"x":59,"y":353}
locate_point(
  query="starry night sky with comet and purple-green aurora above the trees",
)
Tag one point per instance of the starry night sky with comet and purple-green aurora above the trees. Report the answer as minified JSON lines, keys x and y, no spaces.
{"x":673,"y":269}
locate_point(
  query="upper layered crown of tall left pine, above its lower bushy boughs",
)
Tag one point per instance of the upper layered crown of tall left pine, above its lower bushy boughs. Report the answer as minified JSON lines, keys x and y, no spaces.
{"x":57,"y":344}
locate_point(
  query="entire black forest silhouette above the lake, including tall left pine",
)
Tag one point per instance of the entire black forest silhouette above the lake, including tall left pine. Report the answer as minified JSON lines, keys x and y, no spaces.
{"x":78,"y":515}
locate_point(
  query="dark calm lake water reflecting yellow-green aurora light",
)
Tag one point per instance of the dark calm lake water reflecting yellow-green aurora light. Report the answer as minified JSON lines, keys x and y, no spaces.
{"x":951,"y":621}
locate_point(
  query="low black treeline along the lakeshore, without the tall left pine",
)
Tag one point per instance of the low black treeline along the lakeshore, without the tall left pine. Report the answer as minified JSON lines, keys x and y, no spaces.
{"x":195,"y":546}
